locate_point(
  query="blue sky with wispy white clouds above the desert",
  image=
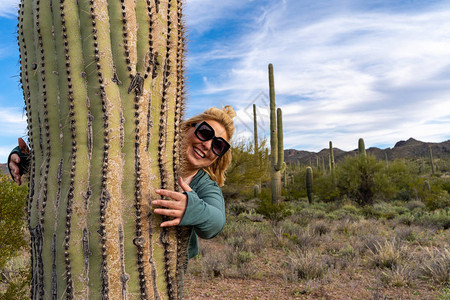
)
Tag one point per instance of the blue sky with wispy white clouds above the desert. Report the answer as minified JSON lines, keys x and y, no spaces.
{"x":344,"y":69}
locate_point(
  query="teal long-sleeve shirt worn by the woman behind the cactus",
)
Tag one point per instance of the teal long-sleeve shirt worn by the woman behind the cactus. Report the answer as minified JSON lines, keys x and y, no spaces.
{"x":205,"y":210}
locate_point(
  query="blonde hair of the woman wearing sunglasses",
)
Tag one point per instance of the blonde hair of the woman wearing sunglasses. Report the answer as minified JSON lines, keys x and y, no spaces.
{"x":225,"y":117}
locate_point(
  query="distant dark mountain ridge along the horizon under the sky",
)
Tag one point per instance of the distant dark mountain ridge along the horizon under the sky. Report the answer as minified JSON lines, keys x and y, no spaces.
{"x":410,"y":148}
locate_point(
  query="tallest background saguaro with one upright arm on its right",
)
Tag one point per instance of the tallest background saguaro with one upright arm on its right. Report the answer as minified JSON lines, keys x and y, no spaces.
{"x":276,"y":142}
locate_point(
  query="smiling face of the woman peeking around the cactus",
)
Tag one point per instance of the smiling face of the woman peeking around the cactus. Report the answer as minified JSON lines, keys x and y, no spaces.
{"x":199,"y":153}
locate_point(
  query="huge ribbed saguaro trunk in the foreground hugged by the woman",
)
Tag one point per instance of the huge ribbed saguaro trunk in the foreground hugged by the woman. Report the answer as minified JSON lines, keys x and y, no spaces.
{"x":104,"y":91}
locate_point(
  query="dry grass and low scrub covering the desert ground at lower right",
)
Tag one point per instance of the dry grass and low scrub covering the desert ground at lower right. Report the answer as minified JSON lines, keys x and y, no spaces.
{"x":324,"y":258}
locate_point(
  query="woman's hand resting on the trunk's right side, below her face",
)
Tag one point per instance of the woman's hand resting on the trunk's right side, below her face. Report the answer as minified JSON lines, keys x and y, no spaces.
{"x":172,"y":208}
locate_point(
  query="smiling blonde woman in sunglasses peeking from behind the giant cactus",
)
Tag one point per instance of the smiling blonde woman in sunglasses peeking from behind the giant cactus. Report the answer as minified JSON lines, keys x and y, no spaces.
{"x":205,"y":160}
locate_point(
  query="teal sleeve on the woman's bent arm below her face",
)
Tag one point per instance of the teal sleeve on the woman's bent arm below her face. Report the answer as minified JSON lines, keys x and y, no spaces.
{"x":205,"y":211}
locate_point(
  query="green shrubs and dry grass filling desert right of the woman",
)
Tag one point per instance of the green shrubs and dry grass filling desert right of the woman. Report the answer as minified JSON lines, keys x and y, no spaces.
{"x":374,"y":229}
